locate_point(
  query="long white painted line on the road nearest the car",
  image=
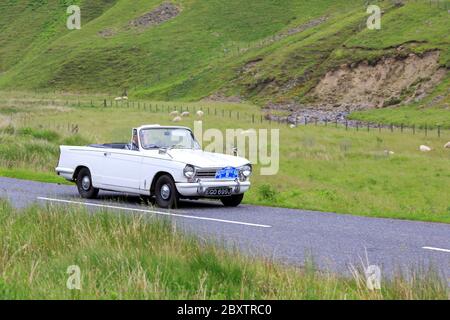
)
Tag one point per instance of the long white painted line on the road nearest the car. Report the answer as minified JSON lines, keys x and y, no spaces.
{"x":155,"y":212}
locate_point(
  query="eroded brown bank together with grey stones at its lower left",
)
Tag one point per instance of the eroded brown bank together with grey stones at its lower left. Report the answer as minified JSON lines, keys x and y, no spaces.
{"x":390,"y":81}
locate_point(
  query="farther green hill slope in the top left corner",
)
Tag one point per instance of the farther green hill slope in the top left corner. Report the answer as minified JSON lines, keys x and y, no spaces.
{"x":27,"y":28}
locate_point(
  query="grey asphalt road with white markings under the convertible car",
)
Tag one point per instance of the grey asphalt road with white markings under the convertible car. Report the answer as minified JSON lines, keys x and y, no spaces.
{"x":335,"y":241}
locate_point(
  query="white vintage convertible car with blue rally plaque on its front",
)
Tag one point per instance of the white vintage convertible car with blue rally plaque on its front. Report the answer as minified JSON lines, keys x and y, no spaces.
{"x":164,"y":162}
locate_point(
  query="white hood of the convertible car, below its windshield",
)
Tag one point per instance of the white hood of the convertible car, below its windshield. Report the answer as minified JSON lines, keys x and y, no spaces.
{"x":205,"y":159}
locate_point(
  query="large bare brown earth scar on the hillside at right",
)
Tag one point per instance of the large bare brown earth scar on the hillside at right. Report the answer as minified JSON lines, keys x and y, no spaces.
{"x":390,"y":81}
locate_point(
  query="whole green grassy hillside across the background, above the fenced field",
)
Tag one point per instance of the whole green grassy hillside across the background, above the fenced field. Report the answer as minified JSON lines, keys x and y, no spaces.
{"x":262,"y":51}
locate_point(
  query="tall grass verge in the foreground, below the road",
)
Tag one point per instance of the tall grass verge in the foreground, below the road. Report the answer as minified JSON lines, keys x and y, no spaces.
{"x":132,"y":257}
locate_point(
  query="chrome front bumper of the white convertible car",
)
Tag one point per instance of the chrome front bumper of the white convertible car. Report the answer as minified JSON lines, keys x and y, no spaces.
{"x":198,"y":188}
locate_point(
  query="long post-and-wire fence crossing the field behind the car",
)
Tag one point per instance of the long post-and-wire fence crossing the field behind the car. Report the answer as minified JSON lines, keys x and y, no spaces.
{"x":173,"y":110}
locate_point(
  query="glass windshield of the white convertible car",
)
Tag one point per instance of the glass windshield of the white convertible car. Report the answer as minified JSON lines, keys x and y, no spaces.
{"x":170,"y":138}
